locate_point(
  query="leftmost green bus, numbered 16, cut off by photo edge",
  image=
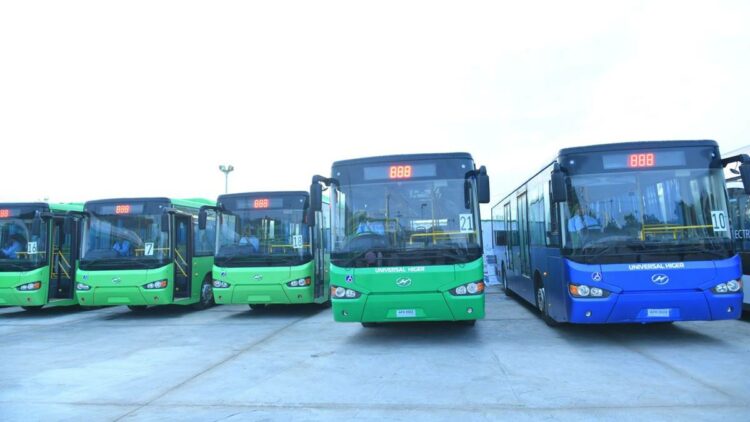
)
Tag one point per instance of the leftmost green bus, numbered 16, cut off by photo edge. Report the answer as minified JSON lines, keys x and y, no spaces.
{"x":38,"y":254}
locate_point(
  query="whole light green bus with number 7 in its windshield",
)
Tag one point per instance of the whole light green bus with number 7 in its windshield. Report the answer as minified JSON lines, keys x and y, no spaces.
{"x":145,"y":251}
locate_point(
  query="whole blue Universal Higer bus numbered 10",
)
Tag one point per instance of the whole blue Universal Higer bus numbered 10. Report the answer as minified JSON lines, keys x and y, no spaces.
{"x":623,"y":233}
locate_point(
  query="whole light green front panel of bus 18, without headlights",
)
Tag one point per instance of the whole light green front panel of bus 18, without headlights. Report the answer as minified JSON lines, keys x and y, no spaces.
{"x":264,"y":285}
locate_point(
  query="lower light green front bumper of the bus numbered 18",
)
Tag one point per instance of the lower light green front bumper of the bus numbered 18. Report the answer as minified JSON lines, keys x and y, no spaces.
{"x":271,"y":294}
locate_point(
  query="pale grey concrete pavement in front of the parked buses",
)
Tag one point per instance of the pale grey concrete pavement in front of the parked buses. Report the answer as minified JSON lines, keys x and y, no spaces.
{"x":230,"y":363}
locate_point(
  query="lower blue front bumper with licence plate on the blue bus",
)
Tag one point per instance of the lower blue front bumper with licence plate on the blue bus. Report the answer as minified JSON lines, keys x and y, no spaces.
{"x":655,"y":307}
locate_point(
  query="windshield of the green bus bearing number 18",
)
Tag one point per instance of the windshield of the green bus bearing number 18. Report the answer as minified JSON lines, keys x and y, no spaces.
{"x":263,"y":237}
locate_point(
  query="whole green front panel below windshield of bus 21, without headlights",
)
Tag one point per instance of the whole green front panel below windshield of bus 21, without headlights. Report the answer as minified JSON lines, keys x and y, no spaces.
{"x":387,"y":296}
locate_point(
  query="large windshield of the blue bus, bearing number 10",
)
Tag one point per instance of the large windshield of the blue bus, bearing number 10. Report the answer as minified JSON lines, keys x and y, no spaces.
{"x":642,"y":216}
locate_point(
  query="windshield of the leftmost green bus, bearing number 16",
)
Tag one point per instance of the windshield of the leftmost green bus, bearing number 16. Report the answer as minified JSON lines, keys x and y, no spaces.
{"x":20,"y":248}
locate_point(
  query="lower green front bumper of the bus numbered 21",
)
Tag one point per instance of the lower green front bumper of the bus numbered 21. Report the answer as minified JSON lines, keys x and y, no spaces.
{"x":408,"y":307}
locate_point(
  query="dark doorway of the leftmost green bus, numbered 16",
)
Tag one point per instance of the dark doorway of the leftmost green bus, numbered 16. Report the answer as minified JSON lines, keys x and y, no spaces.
{"x":63,"y":251}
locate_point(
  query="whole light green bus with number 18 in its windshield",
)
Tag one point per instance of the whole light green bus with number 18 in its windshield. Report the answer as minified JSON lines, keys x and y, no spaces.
{"x":267,"y":253}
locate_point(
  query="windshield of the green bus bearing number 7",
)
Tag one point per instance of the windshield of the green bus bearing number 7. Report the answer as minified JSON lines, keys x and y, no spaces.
{"x":124,"y":241}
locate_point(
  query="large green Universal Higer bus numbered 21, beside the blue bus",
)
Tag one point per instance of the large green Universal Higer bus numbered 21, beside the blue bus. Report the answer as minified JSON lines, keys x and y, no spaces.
{"x":405,"y":238}
